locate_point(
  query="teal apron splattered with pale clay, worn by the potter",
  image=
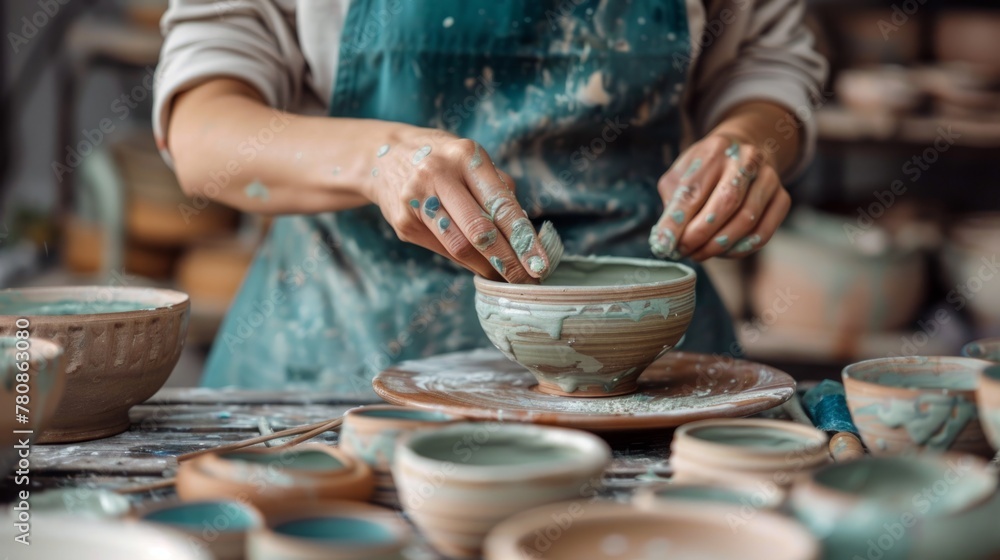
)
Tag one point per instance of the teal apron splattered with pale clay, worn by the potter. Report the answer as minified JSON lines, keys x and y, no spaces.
{"x":579,"y":103}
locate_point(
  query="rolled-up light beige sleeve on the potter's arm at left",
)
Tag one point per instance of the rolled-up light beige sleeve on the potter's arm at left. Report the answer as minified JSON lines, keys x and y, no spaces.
{"x":250,"y":40}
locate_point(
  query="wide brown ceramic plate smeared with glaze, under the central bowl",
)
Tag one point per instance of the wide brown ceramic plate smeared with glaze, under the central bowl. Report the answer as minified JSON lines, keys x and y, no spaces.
{"x":678,"y":388}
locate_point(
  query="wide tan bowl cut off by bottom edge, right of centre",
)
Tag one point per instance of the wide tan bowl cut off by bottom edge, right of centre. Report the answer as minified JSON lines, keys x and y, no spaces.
{"x":610,"y":531}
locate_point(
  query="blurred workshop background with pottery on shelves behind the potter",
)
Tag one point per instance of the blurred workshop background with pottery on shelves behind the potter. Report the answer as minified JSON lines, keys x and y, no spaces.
{"x":891,"y":248}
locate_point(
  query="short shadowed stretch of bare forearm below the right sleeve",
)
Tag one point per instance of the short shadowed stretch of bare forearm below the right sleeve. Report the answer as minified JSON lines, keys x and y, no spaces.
{"x":757,"y":123}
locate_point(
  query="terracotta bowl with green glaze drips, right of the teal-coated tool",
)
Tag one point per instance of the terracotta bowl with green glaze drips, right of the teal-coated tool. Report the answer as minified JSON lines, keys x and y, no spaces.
{"x":917,"y":403}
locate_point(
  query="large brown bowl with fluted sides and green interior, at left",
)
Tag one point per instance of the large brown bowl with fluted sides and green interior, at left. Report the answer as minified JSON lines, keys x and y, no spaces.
{"x":120,"y":343}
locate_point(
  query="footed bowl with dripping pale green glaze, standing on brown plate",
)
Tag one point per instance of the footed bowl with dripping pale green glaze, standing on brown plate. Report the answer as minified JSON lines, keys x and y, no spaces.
{"x":593,"y":326}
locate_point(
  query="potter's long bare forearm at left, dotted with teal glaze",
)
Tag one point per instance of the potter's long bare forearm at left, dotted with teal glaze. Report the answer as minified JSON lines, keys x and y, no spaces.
{"x":223,"y":139}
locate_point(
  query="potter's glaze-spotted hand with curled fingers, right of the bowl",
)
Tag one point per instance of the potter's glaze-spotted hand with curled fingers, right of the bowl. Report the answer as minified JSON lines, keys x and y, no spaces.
{"x":721,"y":197}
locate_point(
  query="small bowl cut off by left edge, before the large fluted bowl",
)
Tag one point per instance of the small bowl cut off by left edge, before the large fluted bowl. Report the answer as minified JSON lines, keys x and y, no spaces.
{"x":39,"y":389}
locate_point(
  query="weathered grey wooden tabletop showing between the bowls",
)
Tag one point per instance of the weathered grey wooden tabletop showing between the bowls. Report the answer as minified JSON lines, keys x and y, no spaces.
{"x":176,"y":421}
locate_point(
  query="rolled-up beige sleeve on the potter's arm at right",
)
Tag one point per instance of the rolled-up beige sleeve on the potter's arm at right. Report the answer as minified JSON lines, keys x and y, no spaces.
{"x":759,"y":50}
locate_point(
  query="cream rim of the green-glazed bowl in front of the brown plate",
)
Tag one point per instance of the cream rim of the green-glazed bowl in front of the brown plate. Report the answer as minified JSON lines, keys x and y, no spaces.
{"x":593,"y":453}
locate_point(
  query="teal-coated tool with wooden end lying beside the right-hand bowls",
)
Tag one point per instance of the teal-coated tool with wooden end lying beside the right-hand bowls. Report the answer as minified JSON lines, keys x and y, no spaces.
{"x":826,"y":405}
